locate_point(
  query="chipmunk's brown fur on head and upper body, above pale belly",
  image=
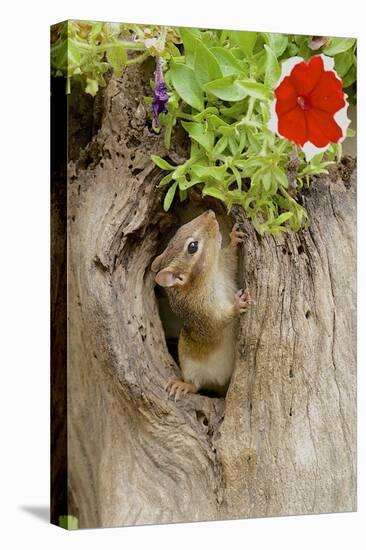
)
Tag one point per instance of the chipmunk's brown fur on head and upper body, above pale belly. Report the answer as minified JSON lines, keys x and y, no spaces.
{"x":191,"y":285}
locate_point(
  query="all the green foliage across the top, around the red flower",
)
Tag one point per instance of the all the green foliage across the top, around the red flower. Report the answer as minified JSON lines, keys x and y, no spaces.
{"x":220,"y":87}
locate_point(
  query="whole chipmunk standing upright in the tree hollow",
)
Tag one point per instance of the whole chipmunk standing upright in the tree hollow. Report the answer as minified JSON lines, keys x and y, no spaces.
{"x":199,"y":277}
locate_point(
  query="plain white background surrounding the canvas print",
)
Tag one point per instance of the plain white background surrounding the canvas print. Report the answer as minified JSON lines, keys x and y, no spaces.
{"x":24,"y":272}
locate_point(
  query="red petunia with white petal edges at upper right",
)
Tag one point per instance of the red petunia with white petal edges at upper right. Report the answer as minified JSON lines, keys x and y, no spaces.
{"x":310,"y":107}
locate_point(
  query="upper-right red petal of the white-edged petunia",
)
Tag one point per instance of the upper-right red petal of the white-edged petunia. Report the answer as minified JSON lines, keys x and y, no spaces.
{"x":328,"y":93}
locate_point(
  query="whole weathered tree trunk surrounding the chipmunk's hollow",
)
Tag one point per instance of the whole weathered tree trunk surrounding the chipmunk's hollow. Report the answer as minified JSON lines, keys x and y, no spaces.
{"x":283,"y":441}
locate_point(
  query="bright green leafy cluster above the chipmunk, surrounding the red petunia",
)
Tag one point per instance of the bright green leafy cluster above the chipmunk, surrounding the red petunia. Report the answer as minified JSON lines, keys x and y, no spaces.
{"x":220,"y":91}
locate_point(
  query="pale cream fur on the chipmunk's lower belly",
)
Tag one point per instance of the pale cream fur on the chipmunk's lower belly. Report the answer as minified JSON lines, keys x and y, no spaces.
{"x":216,"y":368}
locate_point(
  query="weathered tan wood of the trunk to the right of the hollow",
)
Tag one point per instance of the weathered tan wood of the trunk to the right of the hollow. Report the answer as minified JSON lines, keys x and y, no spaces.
{"x":289,"y":436}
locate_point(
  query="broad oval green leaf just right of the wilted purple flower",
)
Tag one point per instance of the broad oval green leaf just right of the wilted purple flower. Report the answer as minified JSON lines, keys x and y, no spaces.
{"x":185,"y":83}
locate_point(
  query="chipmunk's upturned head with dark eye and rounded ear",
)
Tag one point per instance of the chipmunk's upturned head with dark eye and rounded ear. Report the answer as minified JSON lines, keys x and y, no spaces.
{"x":191,"y":252}
